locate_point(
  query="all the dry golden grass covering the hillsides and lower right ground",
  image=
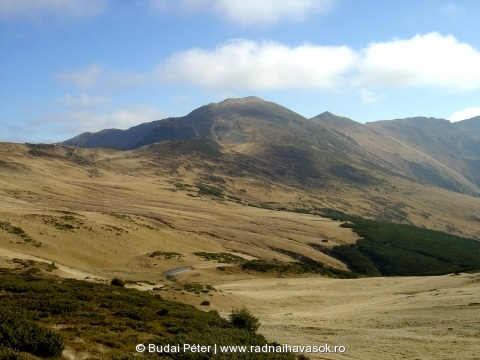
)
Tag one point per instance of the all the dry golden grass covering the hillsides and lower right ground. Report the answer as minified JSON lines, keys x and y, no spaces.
{"x":105,"y":223}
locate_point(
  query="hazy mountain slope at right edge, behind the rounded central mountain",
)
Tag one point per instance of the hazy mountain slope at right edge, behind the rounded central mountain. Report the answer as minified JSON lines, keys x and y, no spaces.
{"x":432,"y":151}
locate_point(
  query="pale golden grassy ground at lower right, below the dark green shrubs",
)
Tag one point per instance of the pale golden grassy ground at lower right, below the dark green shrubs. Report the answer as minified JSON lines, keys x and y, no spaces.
{"x":376,"y":318}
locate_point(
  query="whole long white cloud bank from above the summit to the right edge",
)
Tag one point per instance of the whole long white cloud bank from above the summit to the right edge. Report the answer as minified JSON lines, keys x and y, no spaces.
{"x":429,"y":61}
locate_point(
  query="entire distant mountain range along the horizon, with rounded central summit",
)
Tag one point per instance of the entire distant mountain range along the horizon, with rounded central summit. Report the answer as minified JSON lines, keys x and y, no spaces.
{"x":261,"y":136}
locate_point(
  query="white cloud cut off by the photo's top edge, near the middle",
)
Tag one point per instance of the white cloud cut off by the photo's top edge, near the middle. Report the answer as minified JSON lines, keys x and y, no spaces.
{"x":250,"y":12}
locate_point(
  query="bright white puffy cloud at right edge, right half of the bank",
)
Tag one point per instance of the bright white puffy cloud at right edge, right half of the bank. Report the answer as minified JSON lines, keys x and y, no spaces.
{"x":429,"y":60}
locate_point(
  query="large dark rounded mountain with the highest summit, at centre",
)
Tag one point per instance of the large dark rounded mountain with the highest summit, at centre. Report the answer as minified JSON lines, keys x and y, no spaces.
{"x":286,"y":144}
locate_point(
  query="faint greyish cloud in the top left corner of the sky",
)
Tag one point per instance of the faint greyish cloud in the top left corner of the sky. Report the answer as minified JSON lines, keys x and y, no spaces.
{"x":58,"y":8}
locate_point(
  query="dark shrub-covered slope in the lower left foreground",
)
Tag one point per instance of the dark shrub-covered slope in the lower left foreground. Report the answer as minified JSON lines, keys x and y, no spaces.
{"x":44,"y":316}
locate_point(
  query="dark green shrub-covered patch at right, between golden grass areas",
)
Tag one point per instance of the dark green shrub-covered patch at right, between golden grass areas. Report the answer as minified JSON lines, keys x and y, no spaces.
{"x":397,"y":249}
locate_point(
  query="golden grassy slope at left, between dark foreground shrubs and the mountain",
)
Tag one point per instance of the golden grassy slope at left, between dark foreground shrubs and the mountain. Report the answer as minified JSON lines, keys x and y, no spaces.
{"x":117,"y":219}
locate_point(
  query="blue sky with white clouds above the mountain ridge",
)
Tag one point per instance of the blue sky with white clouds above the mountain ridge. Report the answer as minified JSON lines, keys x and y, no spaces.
{"x":72,"y":66}
